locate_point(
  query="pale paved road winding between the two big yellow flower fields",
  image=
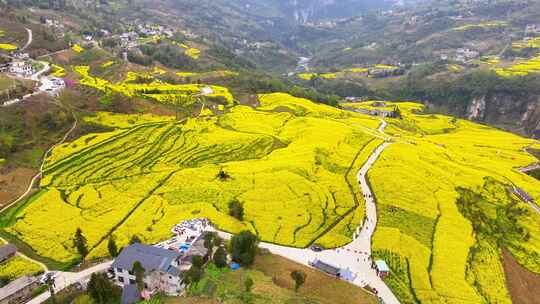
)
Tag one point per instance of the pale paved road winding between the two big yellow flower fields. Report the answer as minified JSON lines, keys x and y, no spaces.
{"x":354,"y":256}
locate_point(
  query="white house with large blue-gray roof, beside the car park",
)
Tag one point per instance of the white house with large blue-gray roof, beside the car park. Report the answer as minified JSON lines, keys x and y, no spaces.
{"x":161,"y":268}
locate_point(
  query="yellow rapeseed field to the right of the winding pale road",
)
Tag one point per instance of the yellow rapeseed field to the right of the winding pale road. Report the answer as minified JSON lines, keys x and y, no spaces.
{"x":445,"y":210}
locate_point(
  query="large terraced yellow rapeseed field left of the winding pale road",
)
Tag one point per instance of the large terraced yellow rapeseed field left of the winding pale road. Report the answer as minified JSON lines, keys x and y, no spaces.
{"x":288,"y":161}
